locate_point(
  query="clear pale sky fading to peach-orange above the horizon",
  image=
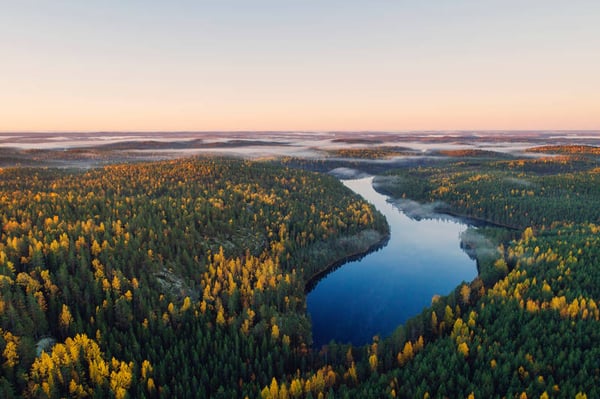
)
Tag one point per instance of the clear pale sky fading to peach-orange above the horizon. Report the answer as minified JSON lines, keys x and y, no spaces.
{"x":299,"y":65}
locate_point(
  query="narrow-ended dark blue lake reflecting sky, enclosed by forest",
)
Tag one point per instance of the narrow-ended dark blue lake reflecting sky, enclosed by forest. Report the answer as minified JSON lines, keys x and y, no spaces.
{"x":381,"y":291}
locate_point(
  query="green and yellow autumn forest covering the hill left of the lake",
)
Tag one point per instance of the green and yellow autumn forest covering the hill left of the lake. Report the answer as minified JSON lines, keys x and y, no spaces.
{"x":173,"y":279}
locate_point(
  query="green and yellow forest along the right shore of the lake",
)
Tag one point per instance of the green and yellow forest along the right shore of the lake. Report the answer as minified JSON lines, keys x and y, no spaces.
{"x":527,"y":327}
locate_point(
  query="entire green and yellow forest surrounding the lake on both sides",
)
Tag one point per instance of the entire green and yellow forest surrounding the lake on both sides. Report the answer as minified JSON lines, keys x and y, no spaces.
{"x":187,"y":278}
